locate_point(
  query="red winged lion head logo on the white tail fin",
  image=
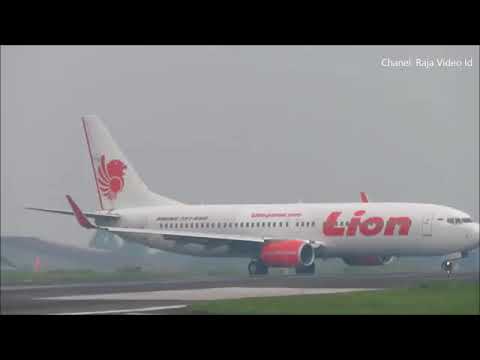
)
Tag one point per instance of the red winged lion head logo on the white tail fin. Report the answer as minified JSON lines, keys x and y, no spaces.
{"x":110,"y":179}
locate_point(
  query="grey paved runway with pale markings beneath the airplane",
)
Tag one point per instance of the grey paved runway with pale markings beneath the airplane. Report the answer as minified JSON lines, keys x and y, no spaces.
{"x":174,"y":296}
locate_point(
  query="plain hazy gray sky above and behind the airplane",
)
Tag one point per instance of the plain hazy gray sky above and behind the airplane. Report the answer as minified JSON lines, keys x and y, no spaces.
{"x":237,"y":125}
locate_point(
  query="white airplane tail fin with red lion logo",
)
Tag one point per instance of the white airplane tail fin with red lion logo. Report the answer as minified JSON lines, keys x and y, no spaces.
{"x":118,"y":184}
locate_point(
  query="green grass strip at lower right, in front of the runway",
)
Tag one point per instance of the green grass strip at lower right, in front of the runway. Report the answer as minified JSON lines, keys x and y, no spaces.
{"x":437,"y":297}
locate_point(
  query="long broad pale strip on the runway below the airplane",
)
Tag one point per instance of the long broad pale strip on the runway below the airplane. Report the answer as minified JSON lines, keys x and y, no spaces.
{"x":207,"y":294}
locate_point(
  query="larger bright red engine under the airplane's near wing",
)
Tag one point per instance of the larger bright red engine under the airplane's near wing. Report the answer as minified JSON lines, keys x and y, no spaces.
{"x":287,"y":253}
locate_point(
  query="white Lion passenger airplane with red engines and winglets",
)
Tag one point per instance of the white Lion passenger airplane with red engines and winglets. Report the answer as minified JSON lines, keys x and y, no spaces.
{"x":270,"y":235}
